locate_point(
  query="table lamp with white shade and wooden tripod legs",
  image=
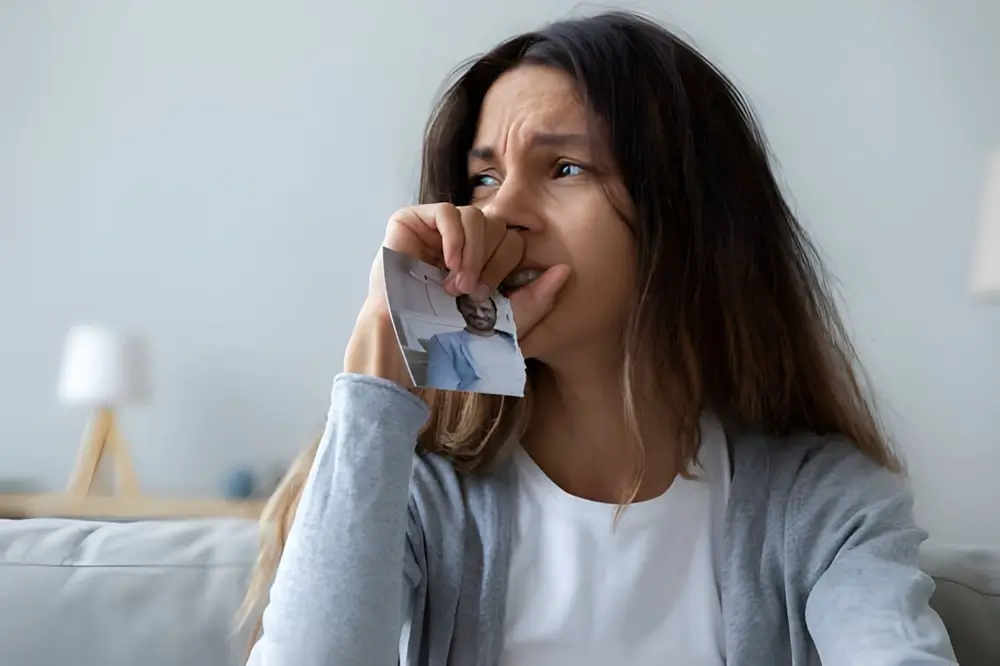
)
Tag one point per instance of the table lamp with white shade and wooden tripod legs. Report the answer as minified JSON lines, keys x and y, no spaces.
{"x":102,"y":370}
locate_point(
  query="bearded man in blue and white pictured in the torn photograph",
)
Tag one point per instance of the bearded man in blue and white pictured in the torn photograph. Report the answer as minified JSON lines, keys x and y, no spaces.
{"x":477,"y":358}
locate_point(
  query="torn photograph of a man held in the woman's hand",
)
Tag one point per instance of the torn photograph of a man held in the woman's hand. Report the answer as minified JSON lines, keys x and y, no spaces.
{"x":448,"y":342}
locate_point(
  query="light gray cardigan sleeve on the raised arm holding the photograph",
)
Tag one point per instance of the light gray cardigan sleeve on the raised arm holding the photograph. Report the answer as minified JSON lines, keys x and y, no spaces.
{"x":342,"y":584}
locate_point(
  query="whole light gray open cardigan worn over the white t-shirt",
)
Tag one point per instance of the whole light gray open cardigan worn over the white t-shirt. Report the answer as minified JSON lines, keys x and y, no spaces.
{"x":395,"y":557}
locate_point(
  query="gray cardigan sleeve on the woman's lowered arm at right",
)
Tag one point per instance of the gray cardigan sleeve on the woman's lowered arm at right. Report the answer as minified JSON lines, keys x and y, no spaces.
{"x":868,"y":601}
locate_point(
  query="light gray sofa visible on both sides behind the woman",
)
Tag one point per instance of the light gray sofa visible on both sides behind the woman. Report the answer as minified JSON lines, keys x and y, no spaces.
{"x":166,"y":593}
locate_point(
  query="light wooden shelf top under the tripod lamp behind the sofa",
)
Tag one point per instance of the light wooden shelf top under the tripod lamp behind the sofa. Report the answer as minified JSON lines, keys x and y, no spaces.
{"x":62,"y":505}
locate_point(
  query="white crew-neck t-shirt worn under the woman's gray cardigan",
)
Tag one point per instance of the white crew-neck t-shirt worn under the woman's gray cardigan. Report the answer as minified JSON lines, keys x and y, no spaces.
{"x":584,"y":592}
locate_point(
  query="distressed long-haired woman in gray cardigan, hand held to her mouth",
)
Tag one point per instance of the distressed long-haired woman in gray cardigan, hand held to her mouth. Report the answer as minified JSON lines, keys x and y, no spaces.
{"x":695,"y":475}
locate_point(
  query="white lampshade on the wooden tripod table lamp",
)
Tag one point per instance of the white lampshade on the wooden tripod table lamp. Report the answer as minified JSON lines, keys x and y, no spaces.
{"x":102,"y":368}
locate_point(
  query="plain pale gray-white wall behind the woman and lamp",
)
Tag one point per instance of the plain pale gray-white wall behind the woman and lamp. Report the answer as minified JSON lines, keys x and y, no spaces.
{"x":216,"y":175}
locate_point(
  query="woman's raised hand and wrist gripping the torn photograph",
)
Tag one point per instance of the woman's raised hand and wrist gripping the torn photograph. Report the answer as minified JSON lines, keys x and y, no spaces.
{"x":478,"y":253}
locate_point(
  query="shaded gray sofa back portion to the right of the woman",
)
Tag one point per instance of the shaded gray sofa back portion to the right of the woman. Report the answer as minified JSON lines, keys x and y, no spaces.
{"x":967,"y":597}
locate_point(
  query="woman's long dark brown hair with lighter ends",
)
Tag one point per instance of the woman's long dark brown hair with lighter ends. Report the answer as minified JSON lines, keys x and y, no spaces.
{"x":731,"y":302}
